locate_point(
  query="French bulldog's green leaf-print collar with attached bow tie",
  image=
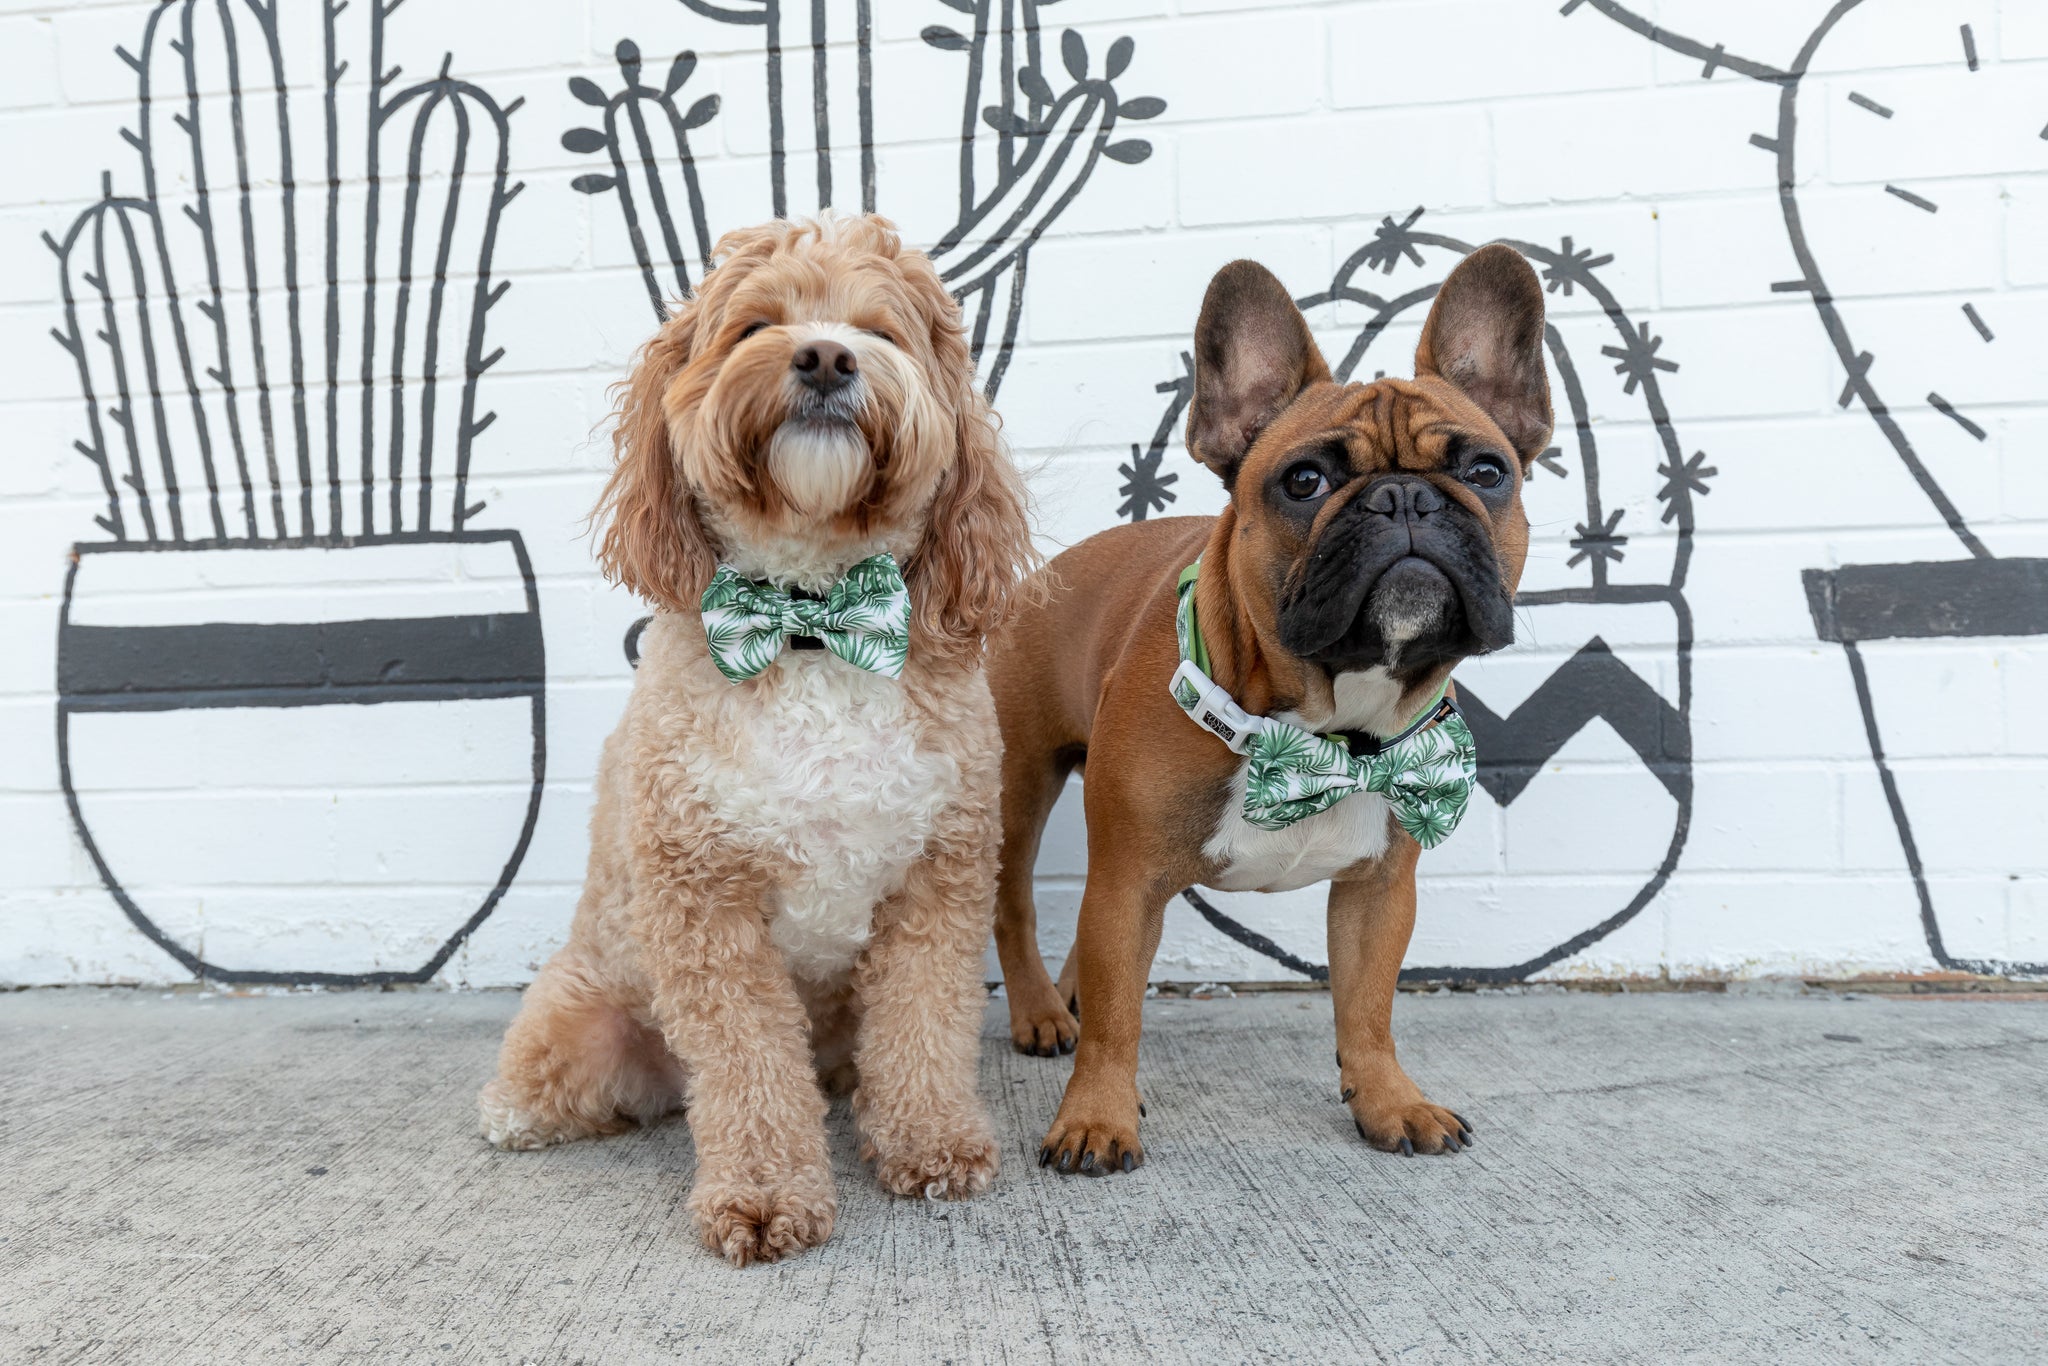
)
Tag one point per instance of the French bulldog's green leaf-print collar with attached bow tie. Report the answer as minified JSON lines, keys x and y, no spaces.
{"x":1426,"y":773}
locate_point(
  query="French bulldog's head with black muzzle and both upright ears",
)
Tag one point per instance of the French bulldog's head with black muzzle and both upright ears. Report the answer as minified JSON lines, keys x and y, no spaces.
{"x":1385,"y":517}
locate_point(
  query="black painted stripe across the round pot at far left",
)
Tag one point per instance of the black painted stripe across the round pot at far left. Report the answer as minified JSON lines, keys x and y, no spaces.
{"x":296,"y":665}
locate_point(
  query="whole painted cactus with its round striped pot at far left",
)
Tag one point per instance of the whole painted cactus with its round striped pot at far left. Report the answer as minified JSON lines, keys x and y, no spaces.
{"x":280,"y":343}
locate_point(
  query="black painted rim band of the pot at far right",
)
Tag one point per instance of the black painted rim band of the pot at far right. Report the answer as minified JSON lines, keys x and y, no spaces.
{"x":1951,"y":599}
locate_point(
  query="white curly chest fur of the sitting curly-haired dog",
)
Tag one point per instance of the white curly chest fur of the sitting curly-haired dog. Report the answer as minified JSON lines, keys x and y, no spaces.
{"x":826,"y":769}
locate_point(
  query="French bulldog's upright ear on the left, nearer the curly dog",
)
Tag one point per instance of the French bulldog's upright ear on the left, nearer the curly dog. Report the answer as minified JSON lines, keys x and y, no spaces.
{"x":1252,"y":355}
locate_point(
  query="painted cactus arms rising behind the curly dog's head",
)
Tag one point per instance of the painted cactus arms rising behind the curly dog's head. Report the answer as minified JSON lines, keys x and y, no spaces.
{"x":1027,"y":148}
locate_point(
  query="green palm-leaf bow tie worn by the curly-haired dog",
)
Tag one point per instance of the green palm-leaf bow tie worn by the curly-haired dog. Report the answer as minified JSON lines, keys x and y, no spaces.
{"x":863,"y":620}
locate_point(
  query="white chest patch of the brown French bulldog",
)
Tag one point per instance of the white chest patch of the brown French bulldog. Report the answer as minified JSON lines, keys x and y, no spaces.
{"x":1324,"y":845}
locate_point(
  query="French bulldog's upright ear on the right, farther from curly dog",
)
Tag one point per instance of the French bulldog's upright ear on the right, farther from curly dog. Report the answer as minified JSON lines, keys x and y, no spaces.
{"x":1486,"y":337}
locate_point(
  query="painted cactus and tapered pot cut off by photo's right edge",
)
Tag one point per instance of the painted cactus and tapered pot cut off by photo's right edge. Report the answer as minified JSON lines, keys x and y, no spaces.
{"x":1861,"y":189}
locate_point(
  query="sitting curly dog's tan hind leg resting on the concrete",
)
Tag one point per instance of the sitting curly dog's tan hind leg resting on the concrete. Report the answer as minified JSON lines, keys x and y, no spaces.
{"x":577,"y":1066}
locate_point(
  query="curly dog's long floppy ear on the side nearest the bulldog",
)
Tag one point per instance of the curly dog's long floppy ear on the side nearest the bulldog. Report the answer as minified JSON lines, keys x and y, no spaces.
{"x":976,"y":548}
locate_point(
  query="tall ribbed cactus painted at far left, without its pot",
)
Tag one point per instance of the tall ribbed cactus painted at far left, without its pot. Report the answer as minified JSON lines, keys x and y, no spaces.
{"x":220,"y":298}
